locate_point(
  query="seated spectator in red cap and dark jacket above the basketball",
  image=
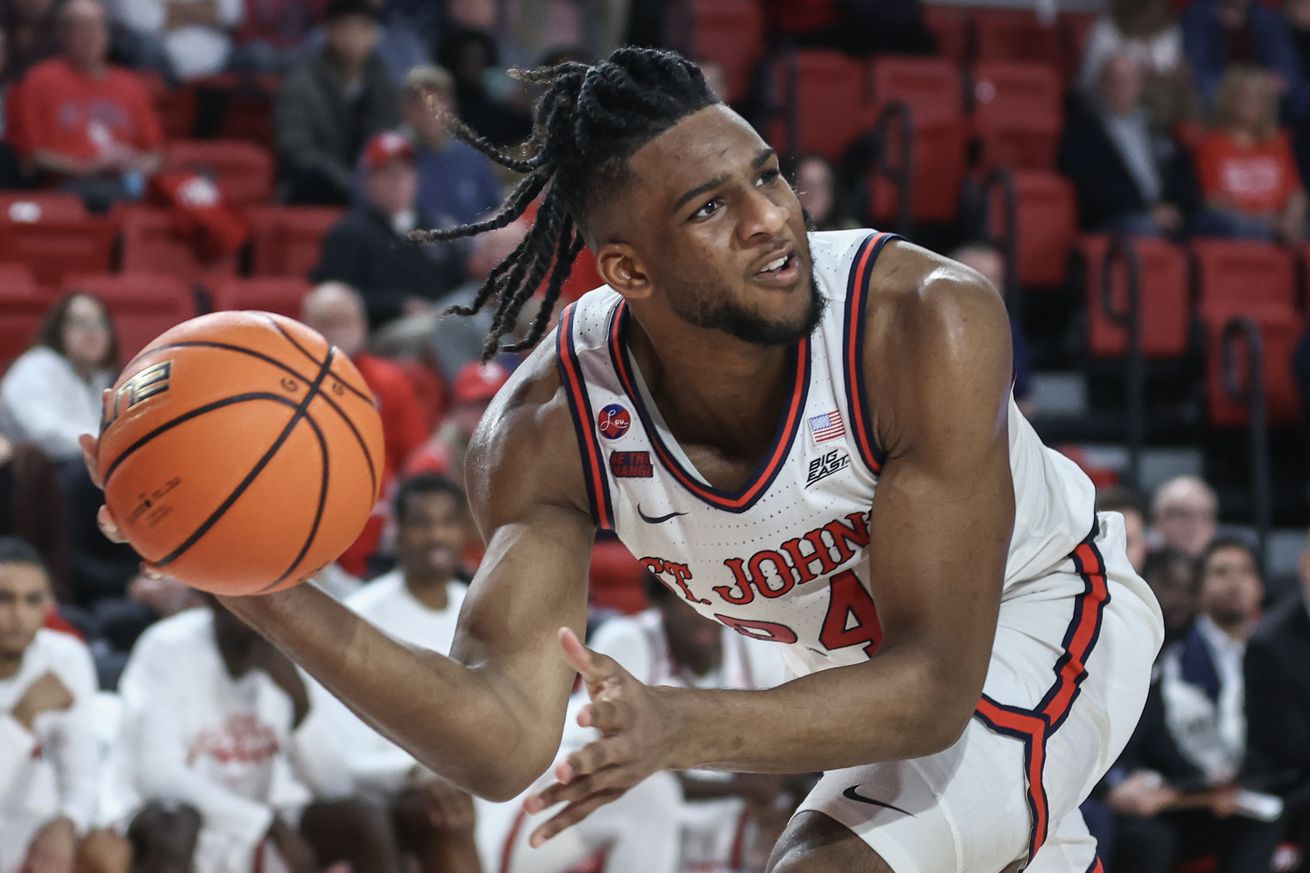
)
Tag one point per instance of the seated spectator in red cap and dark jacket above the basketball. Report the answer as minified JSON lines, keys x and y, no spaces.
{"x":370,"y":248}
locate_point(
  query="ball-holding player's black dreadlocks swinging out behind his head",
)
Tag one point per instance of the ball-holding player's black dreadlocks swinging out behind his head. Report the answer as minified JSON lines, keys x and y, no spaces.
{"x":586,"y":126}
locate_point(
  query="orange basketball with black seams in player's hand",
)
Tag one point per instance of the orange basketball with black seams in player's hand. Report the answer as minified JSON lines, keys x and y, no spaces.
{"x":240,"y":453}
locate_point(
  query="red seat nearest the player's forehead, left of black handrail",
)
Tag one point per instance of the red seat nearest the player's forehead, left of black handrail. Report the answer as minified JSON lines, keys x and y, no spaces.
{"x":826,"y":95}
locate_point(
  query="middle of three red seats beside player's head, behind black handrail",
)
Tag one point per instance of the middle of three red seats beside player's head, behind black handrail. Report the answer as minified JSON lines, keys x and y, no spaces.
{"x":935,"y":94}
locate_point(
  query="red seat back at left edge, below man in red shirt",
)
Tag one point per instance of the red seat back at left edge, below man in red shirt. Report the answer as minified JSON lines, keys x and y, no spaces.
{"x":54,"y":247}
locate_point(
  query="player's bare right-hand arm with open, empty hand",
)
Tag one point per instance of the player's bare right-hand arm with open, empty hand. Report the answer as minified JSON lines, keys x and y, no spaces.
{"x":939,"y":369}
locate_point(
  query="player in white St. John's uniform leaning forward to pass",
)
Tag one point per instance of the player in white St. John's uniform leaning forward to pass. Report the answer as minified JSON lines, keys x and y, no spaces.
{"x":973,"y":648}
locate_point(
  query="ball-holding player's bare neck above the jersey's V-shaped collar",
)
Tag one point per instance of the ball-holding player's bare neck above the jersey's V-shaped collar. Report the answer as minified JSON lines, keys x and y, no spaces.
{"x":709,"y":386}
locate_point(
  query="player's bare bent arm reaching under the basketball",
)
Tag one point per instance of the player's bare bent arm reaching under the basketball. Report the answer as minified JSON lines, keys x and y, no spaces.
{"x":489,"y":718}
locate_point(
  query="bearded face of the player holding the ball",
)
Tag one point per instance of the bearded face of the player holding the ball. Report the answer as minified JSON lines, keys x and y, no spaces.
{"x":720,"y":233}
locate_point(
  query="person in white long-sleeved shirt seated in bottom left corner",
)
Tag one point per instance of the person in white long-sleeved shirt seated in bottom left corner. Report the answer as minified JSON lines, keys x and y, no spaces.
{"x":49,"y":760}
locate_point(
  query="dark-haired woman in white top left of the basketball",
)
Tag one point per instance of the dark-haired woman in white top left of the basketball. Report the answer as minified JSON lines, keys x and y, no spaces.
{"x":53,"y":393}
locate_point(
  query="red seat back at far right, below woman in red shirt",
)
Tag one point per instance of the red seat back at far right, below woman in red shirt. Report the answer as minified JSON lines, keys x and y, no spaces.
{"x":1232,"y":276}
